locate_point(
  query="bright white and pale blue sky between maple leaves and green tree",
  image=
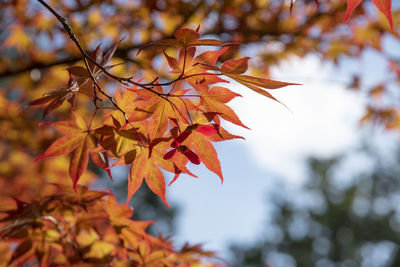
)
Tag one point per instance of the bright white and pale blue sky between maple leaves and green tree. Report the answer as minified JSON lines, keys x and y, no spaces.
{"x":322,"y":119}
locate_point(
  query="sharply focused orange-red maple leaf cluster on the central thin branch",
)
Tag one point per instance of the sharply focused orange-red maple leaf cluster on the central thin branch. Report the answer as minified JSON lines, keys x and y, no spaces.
{"x":155,"y":126}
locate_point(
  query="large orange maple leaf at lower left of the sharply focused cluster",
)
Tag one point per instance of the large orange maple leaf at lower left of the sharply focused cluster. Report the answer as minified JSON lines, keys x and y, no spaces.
{"x":77,"y":141}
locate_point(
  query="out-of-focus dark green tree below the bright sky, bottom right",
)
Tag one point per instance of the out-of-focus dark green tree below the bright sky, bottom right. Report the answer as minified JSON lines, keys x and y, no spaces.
{"x":343,"y":220}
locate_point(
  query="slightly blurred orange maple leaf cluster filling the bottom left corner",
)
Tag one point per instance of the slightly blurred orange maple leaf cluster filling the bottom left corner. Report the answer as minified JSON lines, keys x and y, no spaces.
{"x":85,"y":227}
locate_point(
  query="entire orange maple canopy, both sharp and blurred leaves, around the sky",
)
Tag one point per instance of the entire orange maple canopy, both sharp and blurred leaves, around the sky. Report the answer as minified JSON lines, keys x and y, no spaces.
{"x":144,"y":84}
